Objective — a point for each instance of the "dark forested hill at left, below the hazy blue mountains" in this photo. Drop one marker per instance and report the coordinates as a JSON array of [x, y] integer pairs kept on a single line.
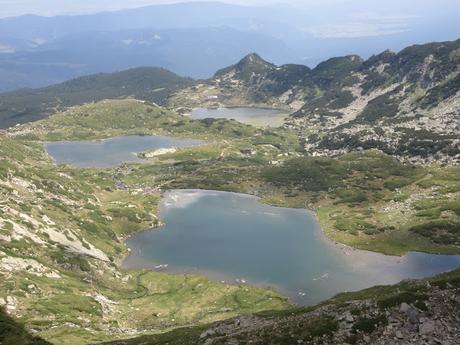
[[150, 84]]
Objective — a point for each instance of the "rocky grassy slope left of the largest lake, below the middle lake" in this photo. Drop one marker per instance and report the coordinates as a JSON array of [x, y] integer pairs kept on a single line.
[[84, 205]]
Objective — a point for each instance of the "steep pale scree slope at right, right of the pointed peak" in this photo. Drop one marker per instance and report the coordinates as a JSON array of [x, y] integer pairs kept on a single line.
[[406, 104]]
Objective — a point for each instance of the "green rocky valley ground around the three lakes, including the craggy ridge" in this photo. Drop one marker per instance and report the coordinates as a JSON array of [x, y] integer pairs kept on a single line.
[[63, 228]]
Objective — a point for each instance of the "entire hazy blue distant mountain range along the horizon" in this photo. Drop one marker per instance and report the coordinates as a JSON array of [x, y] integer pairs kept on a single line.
[[191, 39]]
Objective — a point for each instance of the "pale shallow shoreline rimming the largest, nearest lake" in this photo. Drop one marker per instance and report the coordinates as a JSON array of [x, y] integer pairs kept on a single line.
[[354, 258]]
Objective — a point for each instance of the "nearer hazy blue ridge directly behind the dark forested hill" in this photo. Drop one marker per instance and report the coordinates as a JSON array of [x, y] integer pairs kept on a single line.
[[193, 52]]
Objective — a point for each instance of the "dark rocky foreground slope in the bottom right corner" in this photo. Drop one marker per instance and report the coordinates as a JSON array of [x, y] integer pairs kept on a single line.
[[432, 321]]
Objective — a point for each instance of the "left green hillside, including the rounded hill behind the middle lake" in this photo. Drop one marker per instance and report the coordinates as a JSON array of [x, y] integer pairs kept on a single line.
[[62, 233]]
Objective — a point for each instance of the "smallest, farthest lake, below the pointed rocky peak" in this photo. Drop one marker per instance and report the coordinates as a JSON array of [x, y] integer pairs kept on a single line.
[[253, 116]]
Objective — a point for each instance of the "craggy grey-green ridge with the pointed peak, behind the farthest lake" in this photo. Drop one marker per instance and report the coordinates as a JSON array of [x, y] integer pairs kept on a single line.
[[406, 104]]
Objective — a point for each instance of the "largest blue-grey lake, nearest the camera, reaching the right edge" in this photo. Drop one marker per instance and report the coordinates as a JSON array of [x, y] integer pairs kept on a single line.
[[235, 239]]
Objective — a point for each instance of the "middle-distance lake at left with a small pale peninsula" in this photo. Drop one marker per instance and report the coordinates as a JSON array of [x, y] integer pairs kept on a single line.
[[111, 152]]
